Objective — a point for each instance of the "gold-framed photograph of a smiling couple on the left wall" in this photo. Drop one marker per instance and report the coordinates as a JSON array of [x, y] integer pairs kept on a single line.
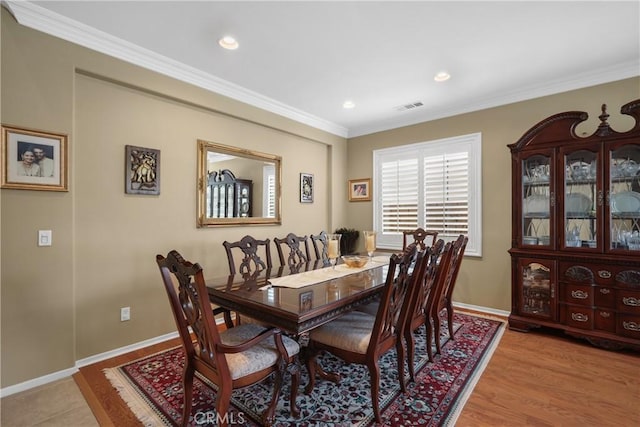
[[34, 160]]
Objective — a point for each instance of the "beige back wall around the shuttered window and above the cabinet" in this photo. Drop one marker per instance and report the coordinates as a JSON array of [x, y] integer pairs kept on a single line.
[[486, 281]]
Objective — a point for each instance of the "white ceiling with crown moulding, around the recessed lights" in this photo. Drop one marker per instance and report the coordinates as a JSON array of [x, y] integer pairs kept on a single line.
[[304, 59]]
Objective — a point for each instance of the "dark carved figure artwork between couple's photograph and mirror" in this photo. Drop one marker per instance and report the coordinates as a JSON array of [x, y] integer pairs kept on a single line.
[[142, 170]]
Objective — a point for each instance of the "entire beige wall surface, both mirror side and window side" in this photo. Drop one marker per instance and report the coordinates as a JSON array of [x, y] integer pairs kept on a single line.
[[61, 304]]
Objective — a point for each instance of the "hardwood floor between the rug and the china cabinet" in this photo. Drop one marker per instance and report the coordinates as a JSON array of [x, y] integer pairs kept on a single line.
[[540, 379]]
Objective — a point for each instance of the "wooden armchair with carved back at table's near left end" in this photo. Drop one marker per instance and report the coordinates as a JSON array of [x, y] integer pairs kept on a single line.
[[237, 357]]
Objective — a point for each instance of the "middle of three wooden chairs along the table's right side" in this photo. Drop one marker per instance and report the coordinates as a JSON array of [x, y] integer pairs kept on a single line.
[[417, 313]]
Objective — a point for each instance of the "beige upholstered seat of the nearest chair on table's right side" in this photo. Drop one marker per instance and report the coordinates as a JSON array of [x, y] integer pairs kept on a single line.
[[351, 332]]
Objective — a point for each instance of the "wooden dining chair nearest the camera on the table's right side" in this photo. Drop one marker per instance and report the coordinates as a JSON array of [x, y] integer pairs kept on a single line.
[[358, 337]]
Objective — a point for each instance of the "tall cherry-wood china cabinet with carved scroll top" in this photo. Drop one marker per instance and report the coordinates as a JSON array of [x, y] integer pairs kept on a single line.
[[575, 250]]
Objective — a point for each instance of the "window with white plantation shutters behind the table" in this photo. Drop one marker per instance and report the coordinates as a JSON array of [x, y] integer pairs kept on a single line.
[[435, 185]]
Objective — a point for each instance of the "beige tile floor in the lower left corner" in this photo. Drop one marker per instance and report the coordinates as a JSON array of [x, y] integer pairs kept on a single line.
[[57, 404]]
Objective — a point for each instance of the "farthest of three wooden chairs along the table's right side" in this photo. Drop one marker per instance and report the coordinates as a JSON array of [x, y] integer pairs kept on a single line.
[[444, 299]]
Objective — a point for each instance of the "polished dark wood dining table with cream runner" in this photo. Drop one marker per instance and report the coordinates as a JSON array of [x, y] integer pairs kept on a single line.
[[296, 310]]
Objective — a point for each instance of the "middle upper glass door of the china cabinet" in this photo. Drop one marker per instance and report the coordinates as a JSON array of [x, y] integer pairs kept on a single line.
[[583, 199]]
